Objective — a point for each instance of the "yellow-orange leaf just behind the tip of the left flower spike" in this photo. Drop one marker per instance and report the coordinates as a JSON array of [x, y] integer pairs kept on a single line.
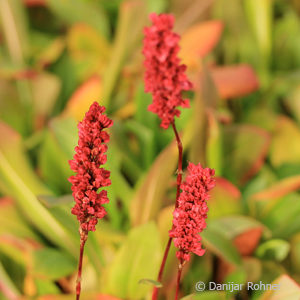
[[83, 97]]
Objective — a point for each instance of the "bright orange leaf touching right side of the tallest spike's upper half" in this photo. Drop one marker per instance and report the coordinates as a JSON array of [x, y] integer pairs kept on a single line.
[[199, 40]]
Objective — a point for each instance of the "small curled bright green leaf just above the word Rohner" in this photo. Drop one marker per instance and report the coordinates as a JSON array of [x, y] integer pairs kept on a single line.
[[274, 249]]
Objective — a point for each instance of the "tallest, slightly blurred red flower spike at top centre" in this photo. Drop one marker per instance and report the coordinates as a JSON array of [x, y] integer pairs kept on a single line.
[[164, 77]]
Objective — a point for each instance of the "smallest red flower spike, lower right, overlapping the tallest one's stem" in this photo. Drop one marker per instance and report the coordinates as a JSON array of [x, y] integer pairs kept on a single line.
[[191, 212]]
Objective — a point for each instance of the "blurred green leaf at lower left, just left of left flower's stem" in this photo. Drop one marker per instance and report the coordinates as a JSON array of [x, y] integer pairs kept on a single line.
[[52, 264]]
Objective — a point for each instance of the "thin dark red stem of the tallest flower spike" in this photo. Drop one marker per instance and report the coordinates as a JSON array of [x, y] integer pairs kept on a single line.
[[179, 179]]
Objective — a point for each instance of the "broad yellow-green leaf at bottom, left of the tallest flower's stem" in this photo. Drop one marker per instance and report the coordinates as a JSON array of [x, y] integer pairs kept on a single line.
[[125, 271]]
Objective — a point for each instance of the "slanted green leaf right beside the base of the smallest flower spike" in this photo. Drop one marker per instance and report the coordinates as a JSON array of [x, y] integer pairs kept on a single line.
[[220, 245]]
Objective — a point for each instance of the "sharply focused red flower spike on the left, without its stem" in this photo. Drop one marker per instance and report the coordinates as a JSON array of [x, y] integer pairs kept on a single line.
[[89, 156]]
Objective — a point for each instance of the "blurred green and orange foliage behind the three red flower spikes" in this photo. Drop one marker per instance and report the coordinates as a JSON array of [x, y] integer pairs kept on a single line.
[[58, 56]]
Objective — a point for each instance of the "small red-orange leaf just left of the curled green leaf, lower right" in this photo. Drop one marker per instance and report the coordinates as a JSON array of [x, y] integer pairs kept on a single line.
[[247, 241]]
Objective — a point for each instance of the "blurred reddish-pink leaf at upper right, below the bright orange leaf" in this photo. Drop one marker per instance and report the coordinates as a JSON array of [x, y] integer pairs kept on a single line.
[[234, 81]]
